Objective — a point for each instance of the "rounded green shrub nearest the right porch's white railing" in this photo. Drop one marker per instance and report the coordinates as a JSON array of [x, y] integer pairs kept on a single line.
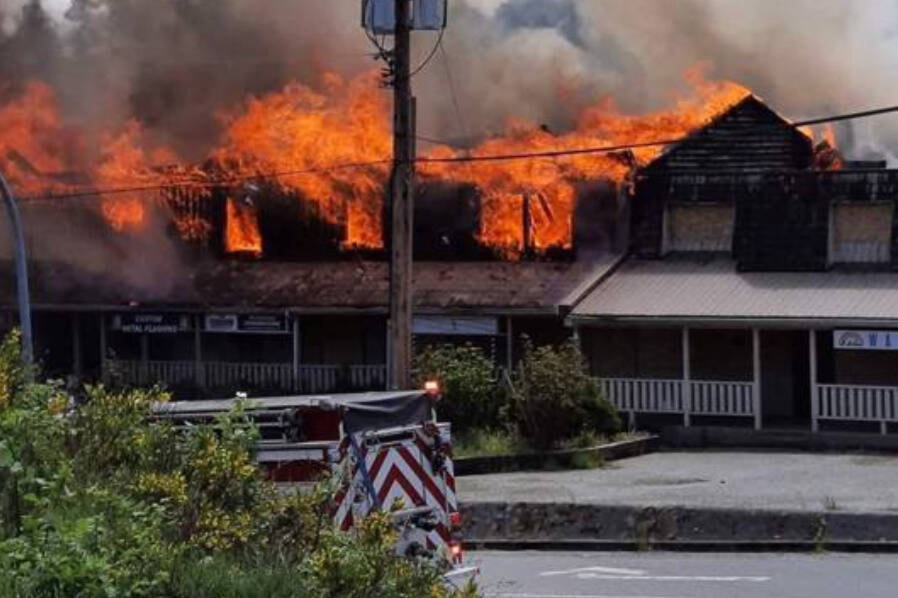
[[553, 397]]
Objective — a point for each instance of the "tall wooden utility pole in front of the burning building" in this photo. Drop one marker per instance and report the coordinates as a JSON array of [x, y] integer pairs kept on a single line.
[[401, 205]]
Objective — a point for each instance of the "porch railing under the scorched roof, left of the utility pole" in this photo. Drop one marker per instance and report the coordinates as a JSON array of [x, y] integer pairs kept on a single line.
[[240, 376]]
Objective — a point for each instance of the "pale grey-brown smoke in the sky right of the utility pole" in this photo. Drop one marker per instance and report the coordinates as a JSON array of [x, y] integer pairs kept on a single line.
[[805, 57]]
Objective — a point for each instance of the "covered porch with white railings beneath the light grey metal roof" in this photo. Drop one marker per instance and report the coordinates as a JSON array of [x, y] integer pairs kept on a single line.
[[820, 393]]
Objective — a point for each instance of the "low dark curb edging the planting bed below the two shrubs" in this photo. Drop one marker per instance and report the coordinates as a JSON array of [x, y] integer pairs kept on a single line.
[[563, 459]]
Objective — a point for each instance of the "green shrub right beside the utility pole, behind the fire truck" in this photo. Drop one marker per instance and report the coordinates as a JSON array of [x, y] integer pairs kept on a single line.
[[470, 397]]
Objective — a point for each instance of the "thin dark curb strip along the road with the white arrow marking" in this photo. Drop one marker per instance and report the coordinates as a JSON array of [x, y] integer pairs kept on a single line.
[[749, 546]]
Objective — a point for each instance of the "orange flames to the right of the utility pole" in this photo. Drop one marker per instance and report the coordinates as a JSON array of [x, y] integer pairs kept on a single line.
[[552, 181]]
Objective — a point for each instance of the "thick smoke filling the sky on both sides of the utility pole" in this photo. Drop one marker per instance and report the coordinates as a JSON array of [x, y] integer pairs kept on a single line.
[[177, 65]]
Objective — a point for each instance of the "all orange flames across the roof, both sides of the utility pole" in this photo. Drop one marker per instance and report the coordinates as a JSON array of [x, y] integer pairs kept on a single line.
[[302, 133]]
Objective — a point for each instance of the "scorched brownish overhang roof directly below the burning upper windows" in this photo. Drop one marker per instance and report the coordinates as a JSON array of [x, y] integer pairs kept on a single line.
[[538, 287]]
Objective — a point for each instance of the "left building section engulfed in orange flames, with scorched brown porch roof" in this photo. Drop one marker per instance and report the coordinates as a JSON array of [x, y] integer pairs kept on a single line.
[[261, 266]]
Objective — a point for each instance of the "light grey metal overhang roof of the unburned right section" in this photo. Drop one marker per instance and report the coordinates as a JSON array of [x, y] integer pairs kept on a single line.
[[692, 288]]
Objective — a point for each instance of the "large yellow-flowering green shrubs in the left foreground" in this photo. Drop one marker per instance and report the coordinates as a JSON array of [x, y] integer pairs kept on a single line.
[[104, 502]]
